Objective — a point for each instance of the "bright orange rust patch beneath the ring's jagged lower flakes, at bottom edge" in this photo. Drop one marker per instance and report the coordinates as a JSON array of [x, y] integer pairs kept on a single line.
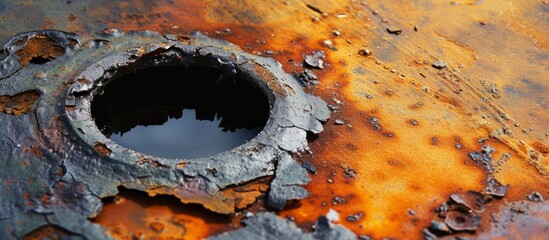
[[161, 217]]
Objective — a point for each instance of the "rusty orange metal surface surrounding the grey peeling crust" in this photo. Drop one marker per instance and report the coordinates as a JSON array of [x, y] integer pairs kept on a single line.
[[437, 107]]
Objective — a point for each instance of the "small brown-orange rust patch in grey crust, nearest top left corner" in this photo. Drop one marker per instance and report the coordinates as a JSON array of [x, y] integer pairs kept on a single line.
[[39, 47]]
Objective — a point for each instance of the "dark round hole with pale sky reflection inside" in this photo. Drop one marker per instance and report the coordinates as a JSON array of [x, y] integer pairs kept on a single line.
[[178, 112]]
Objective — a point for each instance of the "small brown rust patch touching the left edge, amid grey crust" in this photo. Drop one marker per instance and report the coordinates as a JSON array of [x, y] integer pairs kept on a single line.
[[18, 104]]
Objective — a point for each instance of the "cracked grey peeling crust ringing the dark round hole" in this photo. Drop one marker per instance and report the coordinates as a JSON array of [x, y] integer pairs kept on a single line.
[[72, 165]]
